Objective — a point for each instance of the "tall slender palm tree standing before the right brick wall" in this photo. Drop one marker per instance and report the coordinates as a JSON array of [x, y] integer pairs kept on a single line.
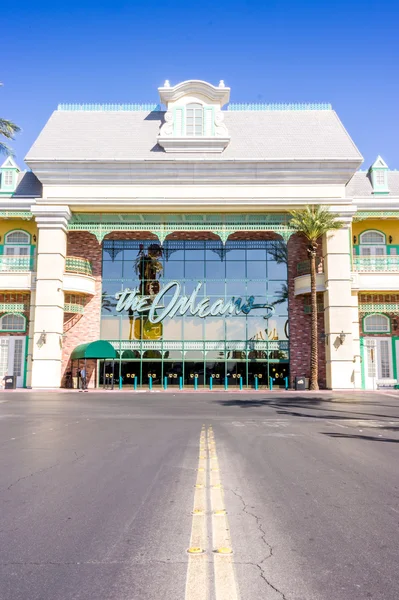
[[313, 222]]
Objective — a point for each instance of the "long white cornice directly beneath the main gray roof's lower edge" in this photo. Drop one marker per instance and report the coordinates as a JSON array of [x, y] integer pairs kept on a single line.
[[160, 171]]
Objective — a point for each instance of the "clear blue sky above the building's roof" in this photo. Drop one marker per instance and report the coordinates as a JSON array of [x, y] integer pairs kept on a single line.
[[346, 53]]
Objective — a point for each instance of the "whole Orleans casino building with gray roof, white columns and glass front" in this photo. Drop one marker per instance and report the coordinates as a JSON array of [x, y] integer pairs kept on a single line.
[[151, 243]]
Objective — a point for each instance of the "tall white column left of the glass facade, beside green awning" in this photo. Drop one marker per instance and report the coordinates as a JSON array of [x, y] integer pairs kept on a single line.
[[49, 307]]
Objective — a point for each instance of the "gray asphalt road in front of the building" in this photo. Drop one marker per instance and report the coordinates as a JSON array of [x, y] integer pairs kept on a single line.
[[97, 492]]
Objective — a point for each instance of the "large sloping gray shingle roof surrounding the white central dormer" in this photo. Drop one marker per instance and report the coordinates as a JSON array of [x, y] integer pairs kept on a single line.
[[255, 135]]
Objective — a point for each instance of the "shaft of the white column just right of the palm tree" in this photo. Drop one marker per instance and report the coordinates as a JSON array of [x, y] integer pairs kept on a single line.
[[338, 310]]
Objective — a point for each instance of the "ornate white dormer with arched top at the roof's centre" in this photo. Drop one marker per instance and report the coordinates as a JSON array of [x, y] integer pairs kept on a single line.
[[194, 117]]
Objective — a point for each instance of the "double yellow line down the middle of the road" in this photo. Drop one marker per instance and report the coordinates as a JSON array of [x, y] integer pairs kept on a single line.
[[198, 576]]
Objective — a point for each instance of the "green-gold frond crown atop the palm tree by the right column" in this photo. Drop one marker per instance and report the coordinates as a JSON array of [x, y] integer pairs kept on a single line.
[[314, 221]]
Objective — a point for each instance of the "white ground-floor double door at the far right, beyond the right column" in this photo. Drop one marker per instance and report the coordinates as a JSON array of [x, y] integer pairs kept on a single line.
[[378, 361]]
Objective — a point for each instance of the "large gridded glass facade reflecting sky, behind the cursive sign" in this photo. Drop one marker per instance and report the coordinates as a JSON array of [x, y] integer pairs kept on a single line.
[[247, 345]]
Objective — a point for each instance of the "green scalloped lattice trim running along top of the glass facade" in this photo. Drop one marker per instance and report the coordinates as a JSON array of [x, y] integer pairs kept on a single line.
[[163, 225]]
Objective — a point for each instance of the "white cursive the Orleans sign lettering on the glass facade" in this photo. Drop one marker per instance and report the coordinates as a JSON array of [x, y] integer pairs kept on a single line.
[[133, 302]]
